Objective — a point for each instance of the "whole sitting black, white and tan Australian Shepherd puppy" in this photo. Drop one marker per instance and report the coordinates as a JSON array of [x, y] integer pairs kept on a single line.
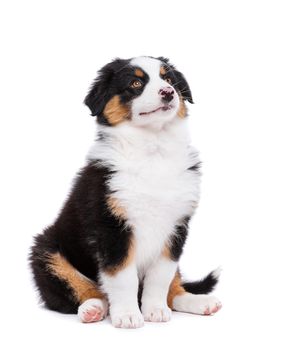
[[116, 244]]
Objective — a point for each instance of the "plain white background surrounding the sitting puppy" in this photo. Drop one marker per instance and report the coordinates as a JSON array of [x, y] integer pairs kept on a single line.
[[235, 57]]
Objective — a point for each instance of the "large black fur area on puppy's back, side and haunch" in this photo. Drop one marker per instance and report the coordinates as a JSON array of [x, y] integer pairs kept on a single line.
[[86, 233]]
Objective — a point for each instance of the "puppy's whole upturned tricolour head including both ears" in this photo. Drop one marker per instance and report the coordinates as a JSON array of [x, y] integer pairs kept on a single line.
[[145, 91]]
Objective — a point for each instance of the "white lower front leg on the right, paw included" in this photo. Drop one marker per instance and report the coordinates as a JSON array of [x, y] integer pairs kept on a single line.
[[155, 291]]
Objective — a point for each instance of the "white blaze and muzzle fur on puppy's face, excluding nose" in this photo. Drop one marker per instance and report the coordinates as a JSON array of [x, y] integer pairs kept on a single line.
[[150, 99]]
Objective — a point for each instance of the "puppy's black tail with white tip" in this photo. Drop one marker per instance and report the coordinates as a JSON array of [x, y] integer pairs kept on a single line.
[[205, 285]]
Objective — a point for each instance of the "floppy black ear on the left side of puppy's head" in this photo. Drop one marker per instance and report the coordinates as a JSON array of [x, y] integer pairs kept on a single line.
[[102, 89]]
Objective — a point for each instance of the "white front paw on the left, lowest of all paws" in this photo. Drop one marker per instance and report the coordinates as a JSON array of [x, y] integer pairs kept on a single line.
[[132, 319]]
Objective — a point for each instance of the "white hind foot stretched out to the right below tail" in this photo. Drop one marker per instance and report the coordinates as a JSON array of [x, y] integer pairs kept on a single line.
[[201, 304]]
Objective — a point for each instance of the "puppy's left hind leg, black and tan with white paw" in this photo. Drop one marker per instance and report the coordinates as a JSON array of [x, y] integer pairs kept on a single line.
[[63, 288]]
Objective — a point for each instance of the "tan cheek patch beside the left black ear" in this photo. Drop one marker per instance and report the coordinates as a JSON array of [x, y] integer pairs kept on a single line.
[[115, 111]]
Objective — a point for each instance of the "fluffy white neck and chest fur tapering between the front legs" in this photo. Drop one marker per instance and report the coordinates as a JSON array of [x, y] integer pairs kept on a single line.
[[152, 181]]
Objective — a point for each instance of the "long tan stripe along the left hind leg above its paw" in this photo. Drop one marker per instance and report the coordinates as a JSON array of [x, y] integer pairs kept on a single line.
[[82, 287]]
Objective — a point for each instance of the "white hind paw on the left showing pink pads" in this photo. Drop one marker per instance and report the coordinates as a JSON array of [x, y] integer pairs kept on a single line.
[[92, 310]]
